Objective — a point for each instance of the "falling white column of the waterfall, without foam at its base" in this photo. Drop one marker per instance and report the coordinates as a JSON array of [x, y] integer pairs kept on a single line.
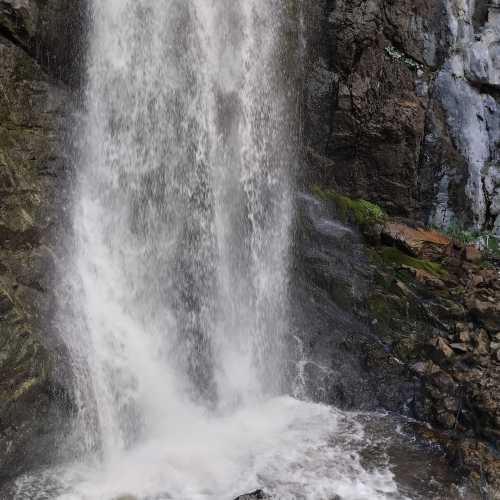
[[183, 210]]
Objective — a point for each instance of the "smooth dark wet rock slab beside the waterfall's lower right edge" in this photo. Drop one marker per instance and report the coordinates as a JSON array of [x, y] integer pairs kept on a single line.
[[345, 361]]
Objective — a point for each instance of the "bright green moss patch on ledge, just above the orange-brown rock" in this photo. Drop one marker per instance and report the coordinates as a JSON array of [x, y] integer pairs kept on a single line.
[[363, 212]]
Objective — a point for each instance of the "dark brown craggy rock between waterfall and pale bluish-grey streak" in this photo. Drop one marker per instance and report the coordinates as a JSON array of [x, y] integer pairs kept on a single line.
[[367, 96]]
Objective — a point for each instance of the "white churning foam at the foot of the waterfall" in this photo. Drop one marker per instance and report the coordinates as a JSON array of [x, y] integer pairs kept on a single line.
[[292, 449]]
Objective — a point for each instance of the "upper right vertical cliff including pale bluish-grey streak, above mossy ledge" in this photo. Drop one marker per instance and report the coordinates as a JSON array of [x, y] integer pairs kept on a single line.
[[402, 106]]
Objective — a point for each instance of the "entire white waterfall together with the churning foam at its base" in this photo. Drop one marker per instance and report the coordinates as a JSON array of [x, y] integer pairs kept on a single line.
[[182, 220]]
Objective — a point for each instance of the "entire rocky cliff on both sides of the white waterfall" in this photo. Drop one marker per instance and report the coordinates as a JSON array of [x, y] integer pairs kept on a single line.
[[391, 309]]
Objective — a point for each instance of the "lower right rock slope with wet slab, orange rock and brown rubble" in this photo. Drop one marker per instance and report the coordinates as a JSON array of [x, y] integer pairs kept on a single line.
[[406, 322]]
